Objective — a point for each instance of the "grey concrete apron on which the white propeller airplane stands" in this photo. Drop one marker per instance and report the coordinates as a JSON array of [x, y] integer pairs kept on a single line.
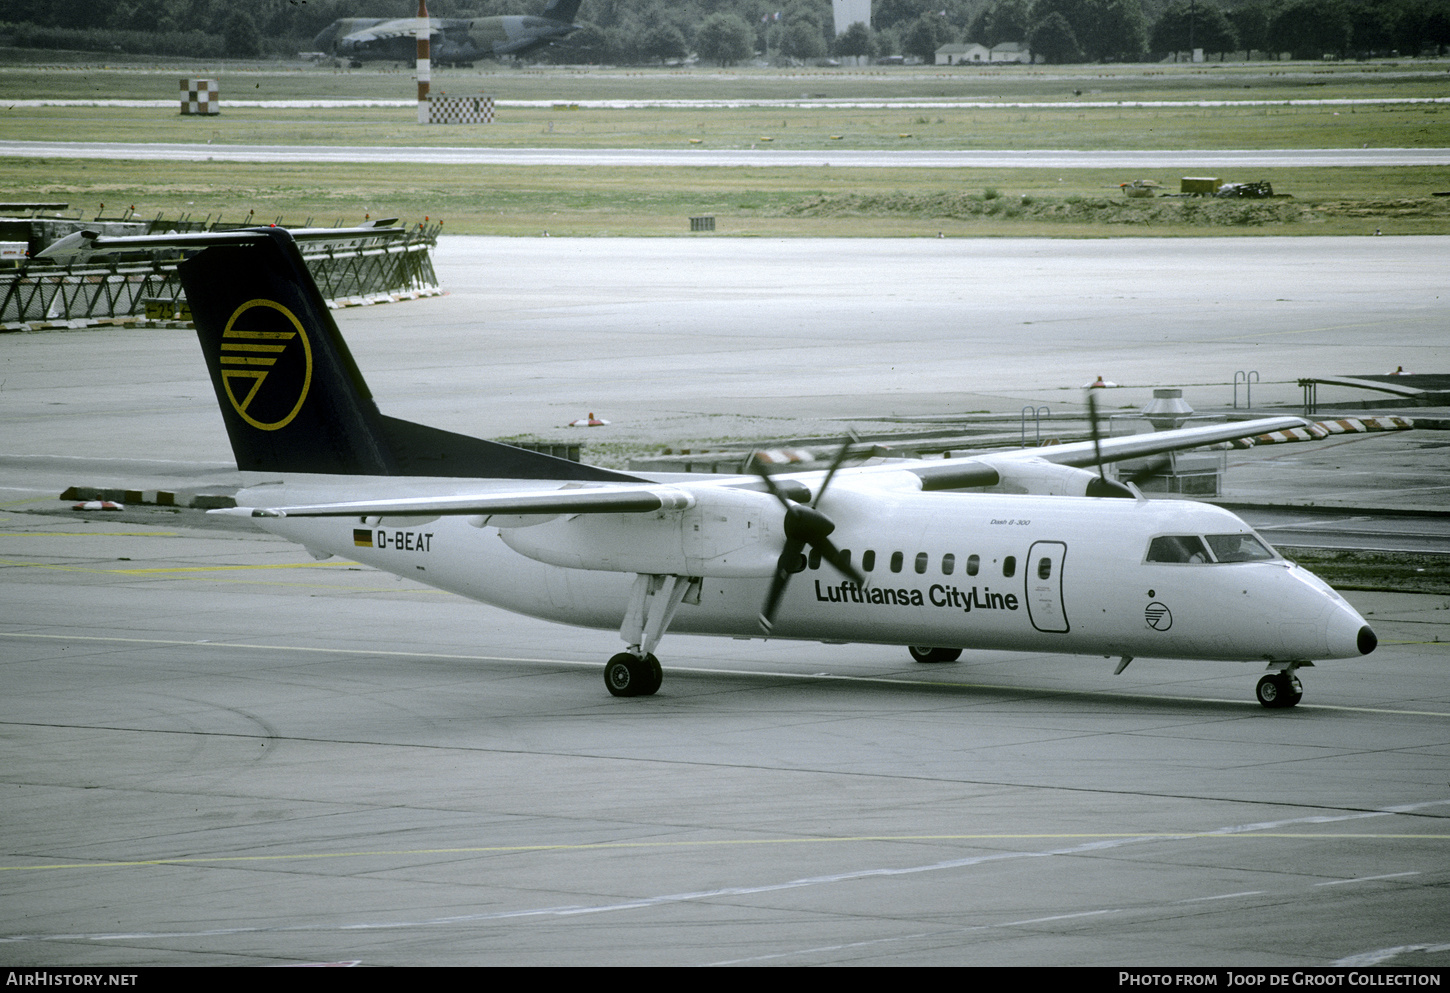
[[215, 750]]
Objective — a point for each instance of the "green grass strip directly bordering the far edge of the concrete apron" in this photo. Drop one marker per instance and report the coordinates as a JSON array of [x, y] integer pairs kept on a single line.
[[753, 202]]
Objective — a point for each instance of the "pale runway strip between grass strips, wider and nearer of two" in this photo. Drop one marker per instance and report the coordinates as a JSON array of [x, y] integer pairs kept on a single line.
[[705, 157]]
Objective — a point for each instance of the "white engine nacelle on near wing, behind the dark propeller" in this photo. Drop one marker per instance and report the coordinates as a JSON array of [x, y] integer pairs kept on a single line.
[[727, 534]]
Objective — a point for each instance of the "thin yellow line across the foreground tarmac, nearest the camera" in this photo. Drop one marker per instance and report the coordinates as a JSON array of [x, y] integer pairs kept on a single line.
[[720, 843]]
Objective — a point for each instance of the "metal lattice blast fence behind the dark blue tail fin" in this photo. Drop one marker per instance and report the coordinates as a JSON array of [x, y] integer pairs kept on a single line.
[[352, 272]]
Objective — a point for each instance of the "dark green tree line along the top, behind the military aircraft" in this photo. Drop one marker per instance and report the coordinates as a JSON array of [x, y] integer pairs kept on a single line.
[[736, 31]]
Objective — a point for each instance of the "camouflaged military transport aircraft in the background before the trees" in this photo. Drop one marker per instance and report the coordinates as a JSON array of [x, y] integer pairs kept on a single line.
[[452, 40]]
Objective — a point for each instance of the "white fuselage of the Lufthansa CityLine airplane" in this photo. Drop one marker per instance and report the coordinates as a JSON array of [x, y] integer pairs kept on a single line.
[[958, 570]]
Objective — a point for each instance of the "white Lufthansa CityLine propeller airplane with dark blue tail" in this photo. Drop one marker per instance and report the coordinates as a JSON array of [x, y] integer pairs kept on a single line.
[[1017, 550]]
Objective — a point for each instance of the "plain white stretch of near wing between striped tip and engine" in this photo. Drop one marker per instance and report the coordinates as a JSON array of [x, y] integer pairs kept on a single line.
[[607, 499]]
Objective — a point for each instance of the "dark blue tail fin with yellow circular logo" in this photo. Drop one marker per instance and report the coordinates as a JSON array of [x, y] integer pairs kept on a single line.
[[291, 394]]
